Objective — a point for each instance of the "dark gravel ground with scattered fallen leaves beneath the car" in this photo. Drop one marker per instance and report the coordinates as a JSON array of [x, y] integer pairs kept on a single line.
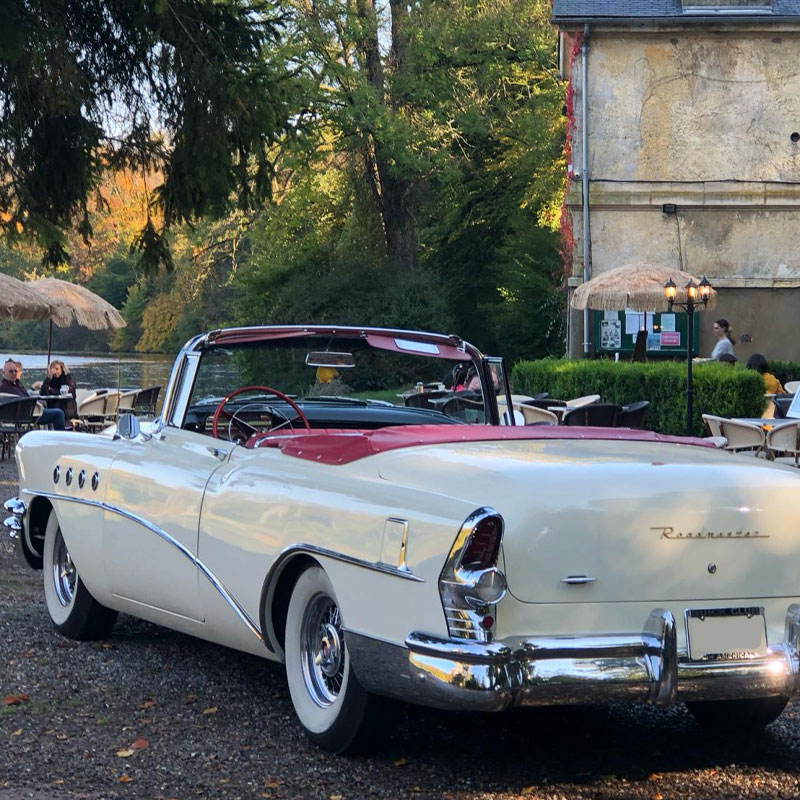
[[155, 714]]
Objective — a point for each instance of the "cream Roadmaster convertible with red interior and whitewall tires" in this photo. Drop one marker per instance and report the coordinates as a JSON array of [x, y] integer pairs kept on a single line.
[[296, 500]]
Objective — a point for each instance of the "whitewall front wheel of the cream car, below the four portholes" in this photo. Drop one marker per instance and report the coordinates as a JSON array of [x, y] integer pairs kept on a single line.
[[74, 611]]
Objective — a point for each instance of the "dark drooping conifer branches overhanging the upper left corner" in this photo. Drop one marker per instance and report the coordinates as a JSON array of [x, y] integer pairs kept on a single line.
[[194, 89]]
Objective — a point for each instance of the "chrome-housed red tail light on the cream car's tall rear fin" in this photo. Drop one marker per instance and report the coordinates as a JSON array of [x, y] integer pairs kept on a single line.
[[471, 584]]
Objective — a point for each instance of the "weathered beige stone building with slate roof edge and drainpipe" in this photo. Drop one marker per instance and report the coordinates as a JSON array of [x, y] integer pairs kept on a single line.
[[686, 140]]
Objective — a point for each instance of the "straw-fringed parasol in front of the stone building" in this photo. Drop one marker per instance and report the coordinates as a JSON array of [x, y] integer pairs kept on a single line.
[[639, 287]]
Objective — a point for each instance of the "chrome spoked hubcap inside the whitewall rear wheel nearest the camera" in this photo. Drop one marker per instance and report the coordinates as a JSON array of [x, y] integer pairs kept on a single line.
[[323, 651]]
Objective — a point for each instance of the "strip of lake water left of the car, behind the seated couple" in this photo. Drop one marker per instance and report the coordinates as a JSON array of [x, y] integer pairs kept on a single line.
[[118, 370]]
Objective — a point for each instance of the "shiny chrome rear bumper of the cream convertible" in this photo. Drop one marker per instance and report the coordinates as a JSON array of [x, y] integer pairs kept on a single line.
[[645, 667]]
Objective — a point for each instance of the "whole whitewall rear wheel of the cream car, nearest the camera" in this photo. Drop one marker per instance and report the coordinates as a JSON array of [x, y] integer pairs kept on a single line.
[[336, 712]]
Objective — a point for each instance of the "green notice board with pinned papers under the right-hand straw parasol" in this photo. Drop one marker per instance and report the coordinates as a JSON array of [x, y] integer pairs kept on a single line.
[[616, 331]]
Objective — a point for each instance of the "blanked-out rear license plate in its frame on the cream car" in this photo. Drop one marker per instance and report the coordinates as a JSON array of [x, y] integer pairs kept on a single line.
[[726, 634]]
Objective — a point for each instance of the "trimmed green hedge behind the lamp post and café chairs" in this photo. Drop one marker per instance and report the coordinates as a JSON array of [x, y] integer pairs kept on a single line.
[[727, 391]]
